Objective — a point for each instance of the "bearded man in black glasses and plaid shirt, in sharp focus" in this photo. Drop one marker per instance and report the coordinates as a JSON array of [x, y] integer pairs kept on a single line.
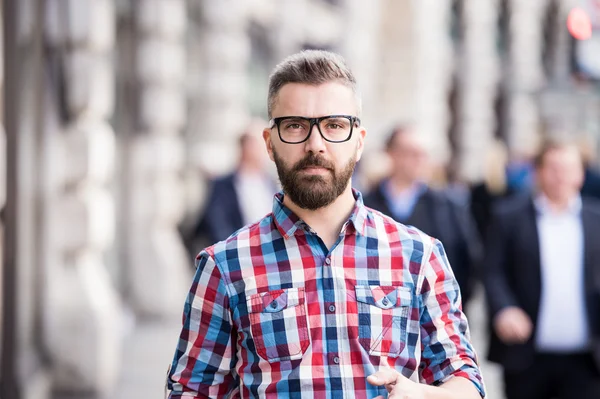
[[323, 297]]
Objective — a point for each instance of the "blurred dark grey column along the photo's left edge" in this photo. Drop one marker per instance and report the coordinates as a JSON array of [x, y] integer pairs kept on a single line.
[[24, 374]]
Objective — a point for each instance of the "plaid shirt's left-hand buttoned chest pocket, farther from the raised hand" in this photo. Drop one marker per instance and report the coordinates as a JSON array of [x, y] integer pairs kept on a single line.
[[278, 324]]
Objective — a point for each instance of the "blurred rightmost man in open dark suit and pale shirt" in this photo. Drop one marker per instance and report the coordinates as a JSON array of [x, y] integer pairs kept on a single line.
[[542, 278]]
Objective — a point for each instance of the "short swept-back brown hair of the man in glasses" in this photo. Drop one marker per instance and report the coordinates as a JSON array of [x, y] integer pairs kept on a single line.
[[313, 67]]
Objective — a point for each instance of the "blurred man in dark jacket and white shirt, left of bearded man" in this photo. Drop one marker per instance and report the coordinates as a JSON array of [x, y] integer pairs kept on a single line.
[[241, 197]]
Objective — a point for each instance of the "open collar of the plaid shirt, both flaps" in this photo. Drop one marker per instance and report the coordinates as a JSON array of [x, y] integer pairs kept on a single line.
[[287, 222]]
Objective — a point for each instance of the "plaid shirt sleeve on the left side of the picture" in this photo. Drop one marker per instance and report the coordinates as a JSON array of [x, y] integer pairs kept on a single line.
[[203, 365]]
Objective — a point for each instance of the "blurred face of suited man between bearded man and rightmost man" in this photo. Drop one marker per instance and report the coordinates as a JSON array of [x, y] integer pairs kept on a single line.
[[410, 159]]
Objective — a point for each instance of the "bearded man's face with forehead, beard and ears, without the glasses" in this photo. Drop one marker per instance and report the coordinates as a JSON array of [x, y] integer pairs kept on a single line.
[[316, 172]]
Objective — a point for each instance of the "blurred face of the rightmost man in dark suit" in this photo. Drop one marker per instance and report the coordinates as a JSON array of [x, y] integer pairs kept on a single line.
[[560, 175]]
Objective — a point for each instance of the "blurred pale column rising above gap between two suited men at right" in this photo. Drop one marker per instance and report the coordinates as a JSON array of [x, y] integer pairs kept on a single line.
[[479, 75]]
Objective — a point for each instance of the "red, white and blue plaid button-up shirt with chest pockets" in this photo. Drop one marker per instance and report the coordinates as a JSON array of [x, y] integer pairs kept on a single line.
[[273, 313]]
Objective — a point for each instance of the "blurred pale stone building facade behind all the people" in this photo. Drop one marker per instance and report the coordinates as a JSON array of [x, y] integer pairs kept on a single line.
[[118, 111]]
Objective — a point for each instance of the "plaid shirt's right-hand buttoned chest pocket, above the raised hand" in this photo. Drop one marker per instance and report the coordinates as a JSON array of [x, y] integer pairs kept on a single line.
[[383, 313]]
